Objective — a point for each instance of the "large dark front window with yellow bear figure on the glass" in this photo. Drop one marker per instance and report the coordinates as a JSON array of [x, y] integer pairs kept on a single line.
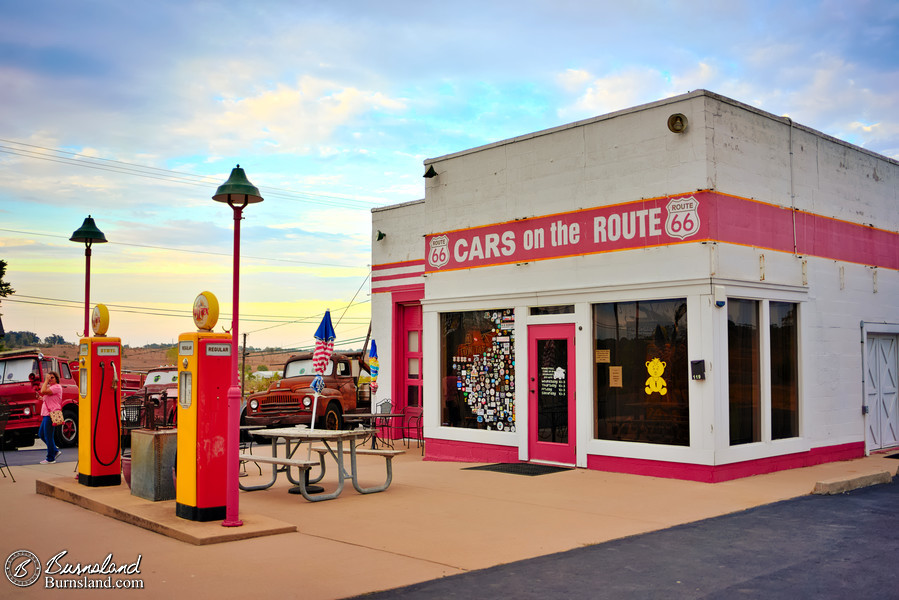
[[642, 372]]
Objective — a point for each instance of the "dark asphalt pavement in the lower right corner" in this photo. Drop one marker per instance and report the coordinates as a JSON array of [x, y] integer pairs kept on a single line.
[[823, 547]]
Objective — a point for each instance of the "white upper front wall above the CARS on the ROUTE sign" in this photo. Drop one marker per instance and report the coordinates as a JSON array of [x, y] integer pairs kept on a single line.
[[618, 158]]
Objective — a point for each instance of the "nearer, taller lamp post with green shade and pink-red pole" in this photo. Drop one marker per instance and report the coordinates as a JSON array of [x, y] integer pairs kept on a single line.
[[237, 193]]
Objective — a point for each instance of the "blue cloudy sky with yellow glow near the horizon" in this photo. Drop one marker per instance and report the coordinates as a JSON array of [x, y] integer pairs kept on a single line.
[[134, 112]]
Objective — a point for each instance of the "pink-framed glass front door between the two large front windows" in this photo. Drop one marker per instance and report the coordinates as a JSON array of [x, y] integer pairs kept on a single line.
[[551, 410]]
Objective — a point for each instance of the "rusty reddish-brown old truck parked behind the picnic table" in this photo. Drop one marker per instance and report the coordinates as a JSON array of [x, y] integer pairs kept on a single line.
[[289, 401]]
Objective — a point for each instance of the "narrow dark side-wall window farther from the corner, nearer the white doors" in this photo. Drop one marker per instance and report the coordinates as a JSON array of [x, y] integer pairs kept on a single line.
[[784, 371]]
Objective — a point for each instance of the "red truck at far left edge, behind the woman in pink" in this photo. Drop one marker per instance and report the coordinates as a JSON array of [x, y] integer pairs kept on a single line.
[[21, 374]]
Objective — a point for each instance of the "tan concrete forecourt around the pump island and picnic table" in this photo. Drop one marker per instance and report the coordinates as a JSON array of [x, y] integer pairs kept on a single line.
[[437, 519]]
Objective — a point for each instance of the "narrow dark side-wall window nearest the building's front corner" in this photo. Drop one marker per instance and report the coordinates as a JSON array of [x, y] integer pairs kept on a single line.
[[743, 372]]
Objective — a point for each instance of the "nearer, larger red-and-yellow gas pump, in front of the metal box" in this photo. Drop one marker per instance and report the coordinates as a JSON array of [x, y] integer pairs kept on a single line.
[[204, 376]]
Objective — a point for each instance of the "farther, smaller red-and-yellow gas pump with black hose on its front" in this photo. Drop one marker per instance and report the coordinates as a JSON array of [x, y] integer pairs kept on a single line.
[[99, 406]]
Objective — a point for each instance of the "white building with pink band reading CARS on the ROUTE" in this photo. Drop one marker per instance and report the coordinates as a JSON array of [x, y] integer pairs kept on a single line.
[[692, 288]]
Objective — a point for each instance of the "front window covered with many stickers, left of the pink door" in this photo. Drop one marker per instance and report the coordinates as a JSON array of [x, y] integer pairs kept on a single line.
[[478, 366]]
